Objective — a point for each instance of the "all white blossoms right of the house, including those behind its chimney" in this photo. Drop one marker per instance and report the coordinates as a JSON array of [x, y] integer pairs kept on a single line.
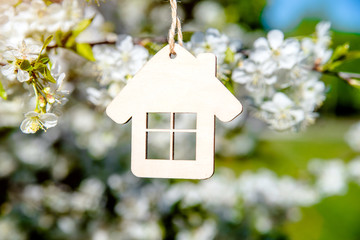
[[281, 76]]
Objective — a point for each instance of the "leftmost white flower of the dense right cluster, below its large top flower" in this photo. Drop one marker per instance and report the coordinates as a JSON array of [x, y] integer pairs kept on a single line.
[[255, 75]]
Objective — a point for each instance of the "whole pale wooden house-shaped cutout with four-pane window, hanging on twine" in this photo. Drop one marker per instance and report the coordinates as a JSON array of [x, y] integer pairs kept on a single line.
[[172, 87]]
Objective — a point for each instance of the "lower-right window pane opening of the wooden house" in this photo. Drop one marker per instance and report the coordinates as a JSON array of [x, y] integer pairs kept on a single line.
[[184, 146]]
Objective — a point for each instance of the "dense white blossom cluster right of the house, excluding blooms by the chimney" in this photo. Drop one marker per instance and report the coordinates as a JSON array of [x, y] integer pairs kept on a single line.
[[282, 77]]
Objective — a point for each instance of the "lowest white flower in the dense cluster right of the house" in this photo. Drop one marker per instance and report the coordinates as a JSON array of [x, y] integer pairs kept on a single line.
[[281, 112]]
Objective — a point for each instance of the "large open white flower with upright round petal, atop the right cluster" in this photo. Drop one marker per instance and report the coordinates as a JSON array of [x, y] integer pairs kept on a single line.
[[283, 52]]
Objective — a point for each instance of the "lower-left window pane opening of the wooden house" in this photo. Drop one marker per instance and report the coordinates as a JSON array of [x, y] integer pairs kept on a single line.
[[157, 145]]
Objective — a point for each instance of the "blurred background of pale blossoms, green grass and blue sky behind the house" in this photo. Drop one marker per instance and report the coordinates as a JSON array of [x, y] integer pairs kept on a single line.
[[74, 181]]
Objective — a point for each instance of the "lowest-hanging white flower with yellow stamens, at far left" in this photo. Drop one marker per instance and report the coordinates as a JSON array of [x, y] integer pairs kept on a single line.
[[34, 121]]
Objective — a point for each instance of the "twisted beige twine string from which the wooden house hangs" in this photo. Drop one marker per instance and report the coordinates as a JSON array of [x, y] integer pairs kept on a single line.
[[174, 24]]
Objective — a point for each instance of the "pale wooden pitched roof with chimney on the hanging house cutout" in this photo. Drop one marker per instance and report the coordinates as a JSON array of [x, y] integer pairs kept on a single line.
[[183, 84]]
